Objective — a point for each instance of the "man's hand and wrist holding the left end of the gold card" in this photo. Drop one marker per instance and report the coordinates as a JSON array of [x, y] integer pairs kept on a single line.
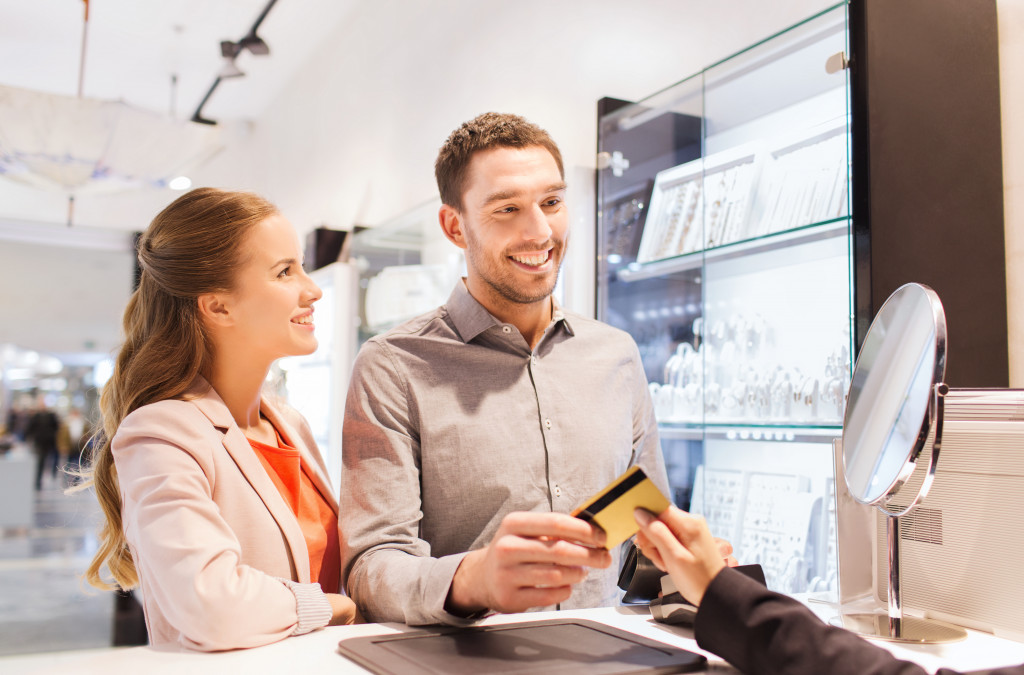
[[533, 562]]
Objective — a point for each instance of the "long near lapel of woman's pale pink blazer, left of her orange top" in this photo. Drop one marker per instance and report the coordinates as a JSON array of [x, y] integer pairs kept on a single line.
[[245, 457]]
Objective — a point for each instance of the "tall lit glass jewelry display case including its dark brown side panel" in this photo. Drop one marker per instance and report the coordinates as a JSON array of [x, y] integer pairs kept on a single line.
[[752, 219]]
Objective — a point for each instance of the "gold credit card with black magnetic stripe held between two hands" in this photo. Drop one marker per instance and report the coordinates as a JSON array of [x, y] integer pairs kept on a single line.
[[612, 510]]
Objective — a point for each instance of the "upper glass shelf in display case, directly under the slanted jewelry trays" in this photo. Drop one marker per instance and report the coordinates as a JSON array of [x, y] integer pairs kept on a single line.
[[817, 232]]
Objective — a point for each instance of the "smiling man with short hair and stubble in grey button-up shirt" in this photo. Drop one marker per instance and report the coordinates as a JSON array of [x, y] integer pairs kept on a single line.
[[473, 432]]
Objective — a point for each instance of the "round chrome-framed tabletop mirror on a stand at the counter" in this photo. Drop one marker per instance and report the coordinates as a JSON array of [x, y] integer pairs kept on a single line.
[[895, 400]]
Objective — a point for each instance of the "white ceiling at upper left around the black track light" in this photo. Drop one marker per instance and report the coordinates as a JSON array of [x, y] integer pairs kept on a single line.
[[135, 47]]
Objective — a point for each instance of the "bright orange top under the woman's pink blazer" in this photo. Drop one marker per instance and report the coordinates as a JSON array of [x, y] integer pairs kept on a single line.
[[317, 519]]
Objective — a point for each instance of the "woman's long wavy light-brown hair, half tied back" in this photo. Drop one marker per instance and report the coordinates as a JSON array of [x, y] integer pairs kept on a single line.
[[195, 246]]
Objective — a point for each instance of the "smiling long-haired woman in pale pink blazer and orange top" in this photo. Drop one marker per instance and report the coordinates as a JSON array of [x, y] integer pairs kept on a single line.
[[217, 499]]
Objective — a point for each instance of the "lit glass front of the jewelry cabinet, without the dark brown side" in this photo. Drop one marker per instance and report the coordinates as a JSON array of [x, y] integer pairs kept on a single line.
[[724, 249]]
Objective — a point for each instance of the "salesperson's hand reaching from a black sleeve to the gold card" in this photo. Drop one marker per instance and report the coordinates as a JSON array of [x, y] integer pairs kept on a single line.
[[681, 545]]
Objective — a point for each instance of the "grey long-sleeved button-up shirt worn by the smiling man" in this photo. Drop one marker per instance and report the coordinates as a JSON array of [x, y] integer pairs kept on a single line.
[[452, 424]]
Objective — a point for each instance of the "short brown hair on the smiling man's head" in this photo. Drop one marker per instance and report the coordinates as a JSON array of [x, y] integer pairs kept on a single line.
[[485, 133]]
